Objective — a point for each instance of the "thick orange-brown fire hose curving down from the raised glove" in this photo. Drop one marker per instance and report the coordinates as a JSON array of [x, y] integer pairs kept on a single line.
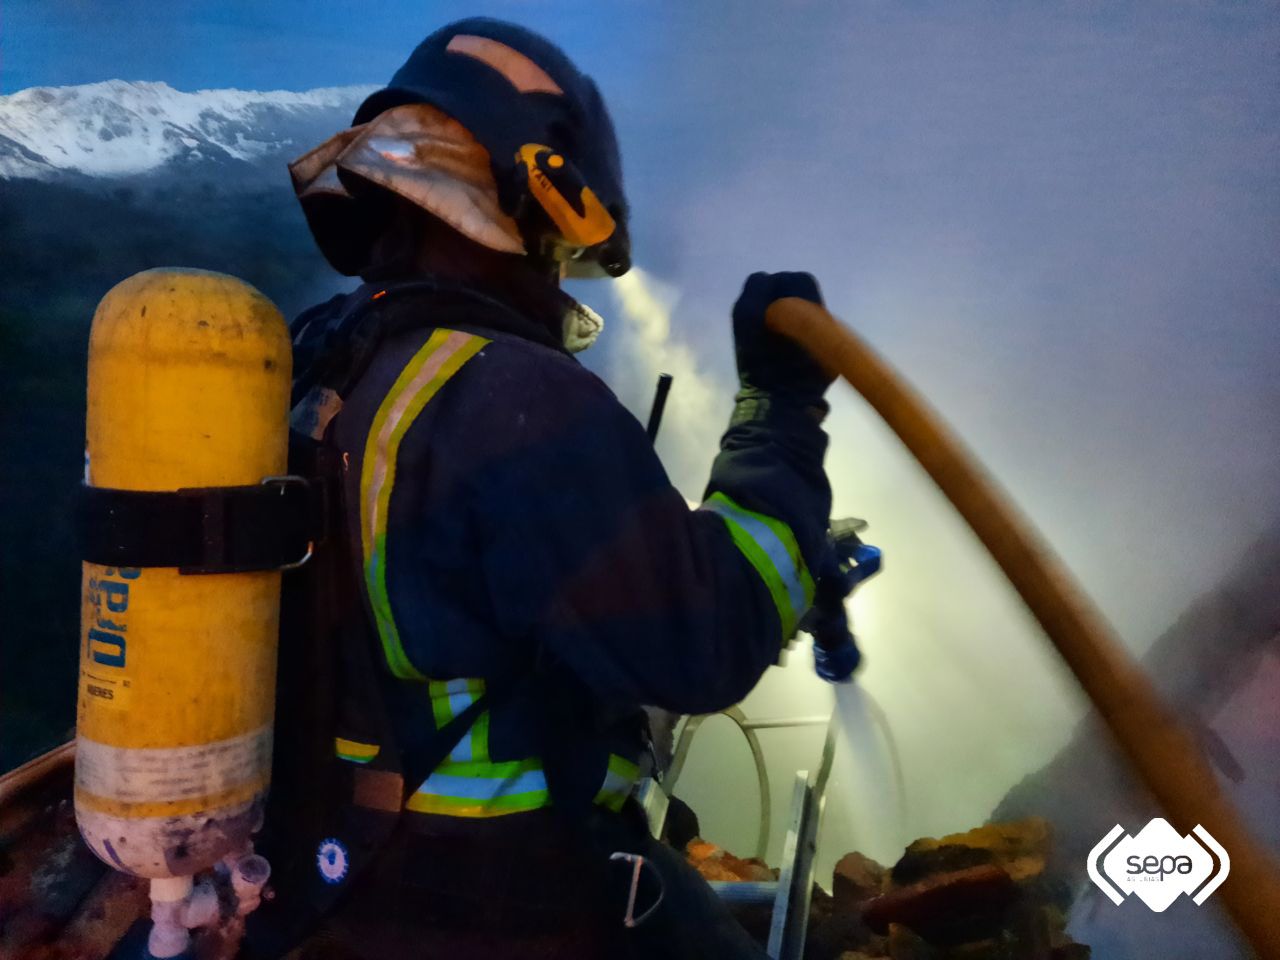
[[1160, 748]]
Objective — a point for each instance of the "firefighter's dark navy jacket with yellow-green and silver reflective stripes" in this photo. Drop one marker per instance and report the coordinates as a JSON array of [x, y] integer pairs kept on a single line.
[[514, 531]]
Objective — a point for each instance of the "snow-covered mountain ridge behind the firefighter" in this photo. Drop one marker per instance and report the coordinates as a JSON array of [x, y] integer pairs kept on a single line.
[[121, 129]]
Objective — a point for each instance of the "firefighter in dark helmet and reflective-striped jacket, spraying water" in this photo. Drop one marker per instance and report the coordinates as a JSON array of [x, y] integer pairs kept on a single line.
[[527, 577]]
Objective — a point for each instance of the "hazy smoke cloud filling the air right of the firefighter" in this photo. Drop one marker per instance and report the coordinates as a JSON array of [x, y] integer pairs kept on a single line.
[[1059, 227]]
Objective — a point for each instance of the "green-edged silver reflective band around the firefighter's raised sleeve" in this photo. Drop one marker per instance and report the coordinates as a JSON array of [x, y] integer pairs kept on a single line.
[[770, 546]]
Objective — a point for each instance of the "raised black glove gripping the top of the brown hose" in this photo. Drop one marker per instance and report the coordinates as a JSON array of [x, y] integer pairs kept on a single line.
[[770, 363]]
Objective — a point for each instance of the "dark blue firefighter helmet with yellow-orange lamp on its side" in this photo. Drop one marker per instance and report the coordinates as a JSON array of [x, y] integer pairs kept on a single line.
[[548, 134]]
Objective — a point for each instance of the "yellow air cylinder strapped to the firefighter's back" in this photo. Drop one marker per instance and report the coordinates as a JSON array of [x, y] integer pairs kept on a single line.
[[189, 386]]
